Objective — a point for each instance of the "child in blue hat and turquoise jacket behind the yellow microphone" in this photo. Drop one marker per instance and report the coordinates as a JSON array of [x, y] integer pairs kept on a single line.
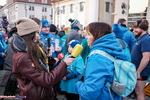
[[77, 68]]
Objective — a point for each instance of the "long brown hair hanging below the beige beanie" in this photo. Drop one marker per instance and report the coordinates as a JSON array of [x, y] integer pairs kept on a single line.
[[33, 50]]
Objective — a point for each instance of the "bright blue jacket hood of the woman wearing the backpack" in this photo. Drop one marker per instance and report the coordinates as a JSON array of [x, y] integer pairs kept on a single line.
[[111, 45]]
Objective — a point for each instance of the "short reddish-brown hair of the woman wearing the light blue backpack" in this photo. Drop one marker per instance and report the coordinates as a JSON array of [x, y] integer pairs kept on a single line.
[[99, 29]]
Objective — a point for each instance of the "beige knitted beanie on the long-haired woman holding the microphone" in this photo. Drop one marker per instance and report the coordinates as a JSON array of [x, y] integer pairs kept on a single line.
[[26, 26]]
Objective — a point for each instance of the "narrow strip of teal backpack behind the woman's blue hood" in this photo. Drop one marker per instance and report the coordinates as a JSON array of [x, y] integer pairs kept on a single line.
[[125, 48]]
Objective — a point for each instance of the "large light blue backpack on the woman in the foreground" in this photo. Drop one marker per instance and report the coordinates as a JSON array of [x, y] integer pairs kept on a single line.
[[124, 79]]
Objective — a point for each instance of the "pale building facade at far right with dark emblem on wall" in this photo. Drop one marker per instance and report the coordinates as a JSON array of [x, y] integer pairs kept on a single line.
[[122, 8]]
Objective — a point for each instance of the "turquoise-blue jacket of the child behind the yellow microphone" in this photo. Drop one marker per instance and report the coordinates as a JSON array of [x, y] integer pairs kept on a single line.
[[75, 70]]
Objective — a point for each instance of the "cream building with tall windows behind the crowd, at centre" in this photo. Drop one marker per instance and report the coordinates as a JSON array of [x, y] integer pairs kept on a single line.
[[86, 11]]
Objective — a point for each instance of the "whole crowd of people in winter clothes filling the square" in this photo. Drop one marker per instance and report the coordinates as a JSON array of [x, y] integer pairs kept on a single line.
[[30, 63]]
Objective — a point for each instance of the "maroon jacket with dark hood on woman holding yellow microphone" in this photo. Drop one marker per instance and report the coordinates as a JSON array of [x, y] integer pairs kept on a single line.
[[34, 85]]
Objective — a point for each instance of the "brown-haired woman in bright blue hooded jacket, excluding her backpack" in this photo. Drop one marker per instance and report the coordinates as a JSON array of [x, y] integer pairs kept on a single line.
[[99, 69]]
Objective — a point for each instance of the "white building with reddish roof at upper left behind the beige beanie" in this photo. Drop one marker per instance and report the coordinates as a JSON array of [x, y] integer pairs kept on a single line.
[[15, 9]]
